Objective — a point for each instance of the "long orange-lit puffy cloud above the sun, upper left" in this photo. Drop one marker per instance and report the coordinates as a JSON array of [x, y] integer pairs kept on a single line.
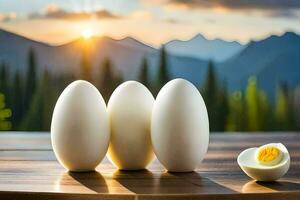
[[52, 11]]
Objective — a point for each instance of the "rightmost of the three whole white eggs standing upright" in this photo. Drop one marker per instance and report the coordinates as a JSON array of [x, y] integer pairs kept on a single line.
[[180, 127]]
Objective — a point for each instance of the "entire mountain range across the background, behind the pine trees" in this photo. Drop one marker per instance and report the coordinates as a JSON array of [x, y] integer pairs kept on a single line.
[[273, 60]]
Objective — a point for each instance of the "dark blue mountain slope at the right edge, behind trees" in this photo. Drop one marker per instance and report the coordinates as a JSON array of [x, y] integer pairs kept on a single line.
[[273, 60]]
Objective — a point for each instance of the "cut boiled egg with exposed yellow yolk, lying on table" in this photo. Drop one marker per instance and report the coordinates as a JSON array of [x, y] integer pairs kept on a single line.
[[263, 164]]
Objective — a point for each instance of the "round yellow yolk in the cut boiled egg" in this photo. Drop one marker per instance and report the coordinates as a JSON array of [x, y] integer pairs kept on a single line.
[[269, 155]]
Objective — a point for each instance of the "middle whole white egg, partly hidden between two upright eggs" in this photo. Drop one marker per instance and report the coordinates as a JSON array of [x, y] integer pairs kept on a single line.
[[129, 109]]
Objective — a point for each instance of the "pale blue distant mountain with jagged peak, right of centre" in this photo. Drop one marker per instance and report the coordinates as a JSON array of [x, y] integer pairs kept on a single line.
[[202, 48]]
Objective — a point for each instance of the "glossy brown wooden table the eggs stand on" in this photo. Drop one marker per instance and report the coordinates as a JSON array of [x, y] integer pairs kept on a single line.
[[29, 170]]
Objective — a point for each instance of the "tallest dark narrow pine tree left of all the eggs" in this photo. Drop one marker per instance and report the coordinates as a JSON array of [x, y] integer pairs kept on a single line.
[[31, 80]]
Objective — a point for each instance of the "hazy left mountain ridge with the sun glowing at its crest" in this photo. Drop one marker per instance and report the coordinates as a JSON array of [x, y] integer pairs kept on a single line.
[[126, 56]]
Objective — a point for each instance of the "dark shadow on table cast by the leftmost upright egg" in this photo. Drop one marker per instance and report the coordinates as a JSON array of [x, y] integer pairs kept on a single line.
[[92, 180]]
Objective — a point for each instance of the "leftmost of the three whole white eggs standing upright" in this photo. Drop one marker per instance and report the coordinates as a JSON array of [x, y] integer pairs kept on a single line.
[[79, 129]]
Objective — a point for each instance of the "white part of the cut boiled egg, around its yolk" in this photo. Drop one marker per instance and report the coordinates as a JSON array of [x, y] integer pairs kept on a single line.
[[258, 172]]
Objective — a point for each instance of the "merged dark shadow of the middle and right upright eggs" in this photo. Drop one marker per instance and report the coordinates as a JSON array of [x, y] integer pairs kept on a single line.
[[147, 182]]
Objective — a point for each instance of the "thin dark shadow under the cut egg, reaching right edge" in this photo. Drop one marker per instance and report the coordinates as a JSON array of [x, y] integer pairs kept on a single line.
[[280, 185]]
